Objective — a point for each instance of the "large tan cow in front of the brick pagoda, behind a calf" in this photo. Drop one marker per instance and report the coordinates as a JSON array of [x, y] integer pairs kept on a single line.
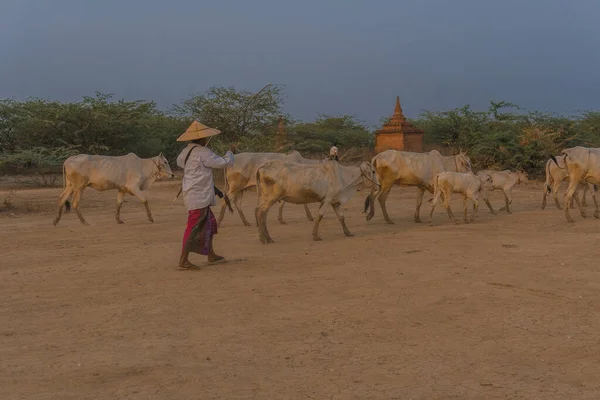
[[410, 169]]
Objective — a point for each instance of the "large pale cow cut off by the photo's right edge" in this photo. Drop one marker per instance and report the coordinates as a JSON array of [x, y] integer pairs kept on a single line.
[[583, 166]]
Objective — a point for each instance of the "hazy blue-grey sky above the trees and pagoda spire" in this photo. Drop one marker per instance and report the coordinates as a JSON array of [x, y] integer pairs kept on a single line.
[[334, 56]]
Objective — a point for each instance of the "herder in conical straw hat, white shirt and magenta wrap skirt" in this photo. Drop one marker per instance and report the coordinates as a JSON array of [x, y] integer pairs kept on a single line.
[[198, 160]]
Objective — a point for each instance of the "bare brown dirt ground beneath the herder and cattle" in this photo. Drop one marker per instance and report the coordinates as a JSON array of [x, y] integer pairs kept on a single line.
[[505, 308]]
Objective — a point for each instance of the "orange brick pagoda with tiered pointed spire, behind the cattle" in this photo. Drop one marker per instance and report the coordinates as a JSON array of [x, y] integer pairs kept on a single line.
[[399, 134]]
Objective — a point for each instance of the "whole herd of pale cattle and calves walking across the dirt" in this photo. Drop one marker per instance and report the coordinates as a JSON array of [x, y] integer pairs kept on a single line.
[[291, 178]]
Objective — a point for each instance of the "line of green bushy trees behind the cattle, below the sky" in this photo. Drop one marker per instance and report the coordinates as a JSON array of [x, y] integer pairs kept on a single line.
[[37, 135]]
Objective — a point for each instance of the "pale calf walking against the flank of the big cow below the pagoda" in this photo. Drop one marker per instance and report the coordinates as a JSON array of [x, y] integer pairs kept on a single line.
[[467, 184]]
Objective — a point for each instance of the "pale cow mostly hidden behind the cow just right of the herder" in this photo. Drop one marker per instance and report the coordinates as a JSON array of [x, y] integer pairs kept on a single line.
[[242, 175]]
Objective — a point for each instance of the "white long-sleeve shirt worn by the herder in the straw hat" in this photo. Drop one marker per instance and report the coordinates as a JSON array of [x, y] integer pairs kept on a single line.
[[198, 185]]
